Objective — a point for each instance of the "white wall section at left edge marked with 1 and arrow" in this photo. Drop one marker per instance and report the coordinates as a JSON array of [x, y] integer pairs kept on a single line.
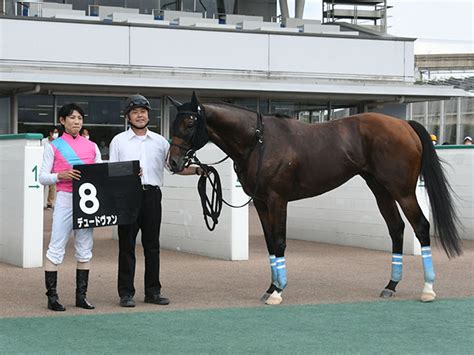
[[21, 202]]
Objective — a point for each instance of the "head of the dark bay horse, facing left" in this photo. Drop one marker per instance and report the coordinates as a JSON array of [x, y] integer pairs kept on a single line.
[[189, 133]]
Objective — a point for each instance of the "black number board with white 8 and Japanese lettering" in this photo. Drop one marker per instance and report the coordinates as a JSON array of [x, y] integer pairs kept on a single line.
[[107, 194]]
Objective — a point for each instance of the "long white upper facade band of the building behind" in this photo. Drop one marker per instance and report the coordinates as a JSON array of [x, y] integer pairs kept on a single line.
[[113, 55]]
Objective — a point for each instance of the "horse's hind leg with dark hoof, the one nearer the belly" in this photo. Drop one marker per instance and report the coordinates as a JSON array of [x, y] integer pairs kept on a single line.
[[389, 210]]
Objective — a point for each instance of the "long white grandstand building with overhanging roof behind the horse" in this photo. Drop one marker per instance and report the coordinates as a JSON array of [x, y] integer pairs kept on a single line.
[[53, 53]]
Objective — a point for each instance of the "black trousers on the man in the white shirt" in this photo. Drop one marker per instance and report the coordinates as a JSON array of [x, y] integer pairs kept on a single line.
[[149, 222]]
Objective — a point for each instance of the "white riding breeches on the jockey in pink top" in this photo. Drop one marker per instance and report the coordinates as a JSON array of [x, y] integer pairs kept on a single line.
[[61, 231]]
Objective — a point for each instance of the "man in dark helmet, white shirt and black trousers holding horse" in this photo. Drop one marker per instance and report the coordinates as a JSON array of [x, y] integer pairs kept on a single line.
[[151, 149]]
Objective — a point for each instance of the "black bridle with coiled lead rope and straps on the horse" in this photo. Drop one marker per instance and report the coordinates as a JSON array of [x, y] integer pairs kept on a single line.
[[212, 206]]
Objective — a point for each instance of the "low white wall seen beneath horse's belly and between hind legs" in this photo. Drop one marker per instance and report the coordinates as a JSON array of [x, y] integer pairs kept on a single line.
[[348, 216]]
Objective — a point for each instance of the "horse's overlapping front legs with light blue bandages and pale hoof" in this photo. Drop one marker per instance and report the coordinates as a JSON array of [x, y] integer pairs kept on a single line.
[[274, 224]]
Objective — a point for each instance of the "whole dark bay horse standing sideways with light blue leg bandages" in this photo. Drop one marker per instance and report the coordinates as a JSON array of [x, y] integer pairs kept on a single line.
[[291, 160]]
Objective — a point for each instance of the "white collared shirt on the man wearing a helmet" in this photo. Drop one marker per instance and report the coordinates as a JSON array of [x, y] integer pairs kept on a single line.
[[150, 149]]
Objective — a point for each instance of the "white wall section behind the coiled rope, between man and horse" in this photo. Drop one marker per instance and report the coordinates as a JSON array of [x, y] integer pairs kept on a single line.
[[183, 227]]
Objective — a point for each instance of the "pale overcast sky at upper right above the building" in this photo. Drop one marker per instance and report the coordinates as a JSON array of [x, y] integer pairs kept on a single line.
[[440, 26]]
